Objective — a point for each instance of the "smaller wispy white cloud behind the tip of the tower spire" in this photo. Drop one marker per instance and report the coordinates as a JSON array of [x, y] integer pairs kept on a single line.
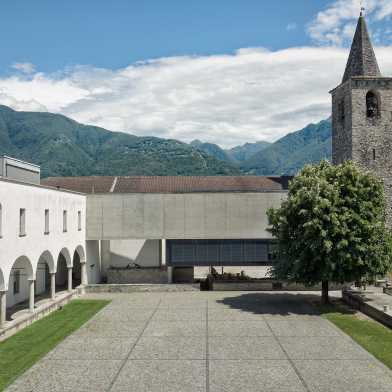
[[335, 25]]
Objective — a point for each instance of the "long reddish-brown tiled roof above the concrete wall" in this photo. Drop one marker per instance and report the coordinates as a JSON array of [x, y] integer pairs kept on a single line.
[[171, 184]]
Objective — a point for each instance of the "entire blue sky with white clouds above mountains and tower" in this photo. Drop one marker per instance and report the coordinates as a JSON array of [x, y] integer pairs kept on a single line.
[[222, 71]]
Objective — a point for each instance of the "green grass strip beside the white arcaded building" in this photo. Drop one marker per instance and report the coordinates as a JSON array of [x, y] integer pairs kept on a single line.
[[22, 350]]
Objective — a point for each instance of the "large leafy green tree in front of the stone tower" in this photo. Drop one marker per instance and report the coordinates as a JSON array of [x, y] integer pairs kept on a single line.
[[332, 227]]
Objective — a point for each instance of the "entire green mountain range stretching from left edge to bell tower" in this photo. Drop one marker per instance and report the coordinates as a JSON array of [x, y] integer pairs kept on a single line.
[[64, 147]]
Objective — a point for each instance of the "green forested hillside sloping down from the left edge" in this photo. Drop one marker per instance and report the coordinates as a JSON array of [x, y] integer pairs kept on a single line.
[[64, 147]]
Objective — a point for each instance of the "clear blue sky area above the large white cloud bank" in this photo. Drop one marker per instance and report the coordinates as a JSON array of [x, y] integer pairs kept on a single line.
[[112, 34]]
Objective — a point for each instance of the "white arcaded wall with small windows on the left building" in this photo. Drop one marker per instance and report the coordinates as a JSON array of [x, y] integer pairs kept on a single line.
[[35, 199]]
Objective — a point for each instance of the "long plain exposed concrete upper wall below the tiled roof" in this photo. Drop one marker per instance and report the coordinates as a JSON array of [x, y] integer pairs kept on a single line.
[[180, 216]]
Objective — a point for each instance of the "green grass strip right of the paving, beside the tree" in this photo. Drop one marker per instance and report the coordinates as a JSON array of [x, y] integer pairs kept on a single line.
[[370, 334]]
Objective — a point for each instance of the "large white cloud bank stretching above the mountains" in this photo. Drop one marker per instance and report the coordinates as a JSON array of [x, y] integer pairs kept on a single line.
[[253, 94]]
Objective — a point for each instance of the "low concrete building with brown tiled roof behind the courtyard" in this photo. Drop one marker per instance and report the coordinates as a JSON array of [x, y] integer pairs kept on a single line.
[[169, 225]]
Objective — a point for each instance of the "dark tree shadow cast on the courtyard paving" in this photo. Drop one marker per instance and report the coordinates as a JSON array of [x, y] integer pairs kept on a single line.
[[283, 304]]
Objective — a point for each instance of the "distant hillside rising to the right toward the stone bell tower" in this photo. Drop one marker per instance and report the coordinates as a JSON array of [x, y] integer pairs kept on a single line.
[[292, 152]]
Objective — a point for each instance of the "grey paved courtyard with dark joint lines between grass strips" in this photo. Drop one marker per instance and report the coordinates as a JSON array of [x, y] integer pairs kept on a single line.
[[206, 341]]
